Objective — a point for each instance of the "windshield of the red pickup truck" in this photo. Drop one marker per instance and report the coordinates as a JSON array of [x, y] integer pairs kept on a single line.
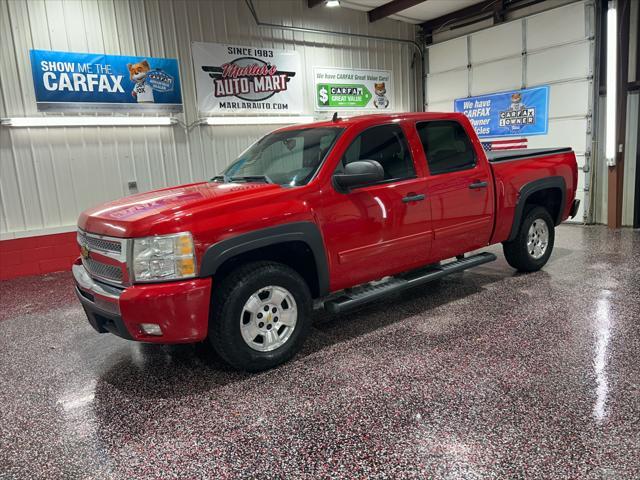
[[288, 158]]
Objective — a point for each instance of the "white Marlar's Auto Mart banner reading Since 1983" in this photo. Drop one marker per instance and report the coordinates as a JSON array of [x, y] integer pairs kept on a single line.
[[235, 79]]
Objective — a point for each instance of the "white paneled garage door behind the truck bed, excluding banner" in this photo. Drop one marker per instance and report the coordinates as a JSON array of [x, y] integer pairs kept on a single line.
[[554, 48]]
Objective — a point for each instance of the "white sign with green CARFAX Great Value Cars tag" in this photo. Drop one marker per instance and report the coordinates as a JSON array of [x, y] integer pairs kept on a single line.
[[353, 89]]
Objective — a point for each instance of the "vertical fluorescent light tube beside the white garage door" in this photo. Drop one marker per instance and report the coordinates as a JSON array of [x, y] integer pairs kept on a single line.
[[610, 129]]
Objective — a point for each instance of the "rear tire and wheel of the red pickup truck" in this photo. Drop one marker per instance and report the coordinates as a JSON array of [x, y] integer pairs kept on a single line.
[[531, 257]]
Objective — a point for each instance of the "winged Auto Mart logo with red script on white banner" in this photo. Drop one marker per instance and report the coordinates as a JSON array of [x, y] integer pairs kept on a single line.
[[248, 78]]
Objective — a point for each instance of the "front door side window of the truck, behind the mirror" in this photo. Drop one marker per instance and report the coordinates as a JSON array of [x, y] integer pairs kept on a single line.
[[385, 144]]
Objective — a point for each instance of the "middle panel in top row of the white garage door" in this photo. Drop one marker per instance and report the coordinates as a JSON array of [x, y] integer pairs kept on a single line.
[[497, 42]]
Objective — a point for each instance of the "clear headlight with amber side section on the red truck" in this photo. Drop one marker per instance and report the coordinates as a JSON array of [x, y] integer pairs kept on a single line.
[[164, 257]]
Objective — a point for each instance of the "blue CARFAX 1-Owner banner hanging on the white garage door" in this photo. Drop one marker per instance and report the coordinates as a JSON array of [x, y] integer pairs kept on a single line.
[[506, 114]]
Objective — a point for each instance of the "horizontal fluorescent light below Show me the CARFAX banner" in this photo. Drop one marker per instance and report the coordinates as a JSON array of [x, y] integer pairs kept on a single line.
[[86, 121]]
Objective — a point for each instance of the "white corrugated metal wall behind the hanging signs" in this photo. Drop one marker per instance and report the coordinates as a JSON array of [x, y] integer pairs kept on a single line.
[[47, 176]]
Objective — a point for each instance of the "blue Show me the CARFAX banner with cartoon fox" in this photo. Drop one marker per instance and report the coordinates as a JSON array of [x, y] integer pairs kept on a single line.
[[66, 80]]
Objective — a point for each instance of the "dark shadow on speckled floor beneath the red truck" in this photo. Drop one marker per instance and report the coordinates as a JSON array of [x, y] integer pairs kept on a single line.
[[174, 371]]
